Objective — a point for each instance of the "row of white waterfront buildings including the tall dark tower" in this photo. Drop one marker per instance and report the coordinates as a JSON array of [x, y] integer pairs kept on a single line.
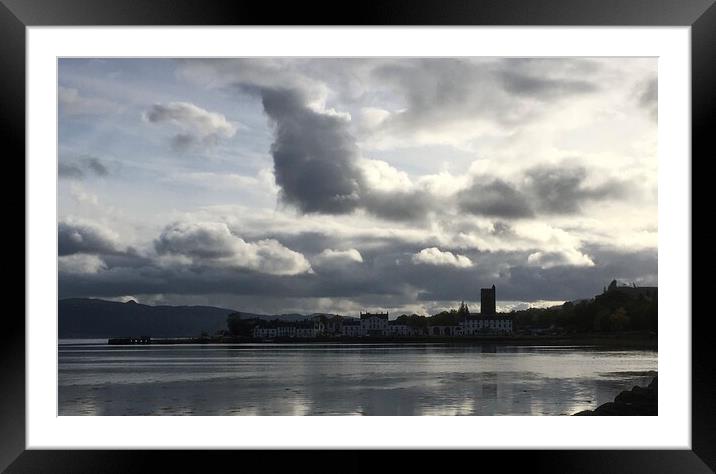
[[488, 322]]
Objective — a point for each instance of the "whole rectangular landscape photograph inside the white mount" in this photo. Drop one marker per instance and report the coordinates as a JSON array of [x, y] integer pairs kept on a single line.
[[334, 236]]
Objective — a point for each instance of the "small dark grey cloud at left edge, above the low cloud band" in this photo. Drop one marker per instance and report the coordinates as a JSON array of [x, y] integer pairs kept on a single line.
[[75, 238]]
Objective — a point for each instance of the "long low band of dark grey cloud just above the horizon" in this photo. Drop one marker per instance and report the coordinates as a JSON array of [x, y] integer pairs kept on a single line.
[[385, 274]]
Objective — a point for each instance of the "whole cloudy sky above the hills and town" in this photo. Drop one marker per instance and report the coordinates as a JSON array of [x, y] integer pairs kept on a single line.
[[339, 185]]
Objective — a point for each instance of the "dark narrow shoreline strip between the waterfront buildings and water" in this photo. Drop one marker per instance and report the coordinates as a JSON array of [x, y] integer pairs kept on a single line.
[[627, 341]]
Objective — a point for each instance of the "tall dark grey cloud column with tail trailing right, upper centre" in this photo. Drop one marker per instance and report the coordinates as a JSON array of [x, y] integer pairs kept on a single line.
[[315, 158]]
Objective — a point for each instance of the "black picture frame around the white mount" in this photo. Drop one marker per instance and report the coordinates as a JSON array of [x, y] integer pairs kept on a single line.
[[16, 15]]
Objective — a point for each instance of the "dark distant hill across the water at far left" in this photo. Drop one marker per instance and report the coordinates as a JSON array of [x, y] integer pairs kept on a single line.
[[95, 318]]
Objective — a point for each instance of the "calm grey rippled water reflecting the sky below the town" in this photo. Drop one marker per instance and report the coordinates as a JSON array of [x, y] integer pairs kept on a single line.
[[342, 379]]
